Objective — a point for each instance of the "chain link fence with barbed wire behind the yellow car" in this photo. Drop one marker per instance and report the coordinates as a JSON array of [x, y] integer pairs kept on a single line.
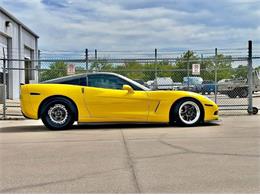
[[232, 81]]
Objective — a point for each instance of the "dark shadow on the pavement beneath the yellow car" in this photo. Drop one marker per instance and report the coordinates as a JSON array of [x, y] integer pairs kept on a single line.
[[97, 126]]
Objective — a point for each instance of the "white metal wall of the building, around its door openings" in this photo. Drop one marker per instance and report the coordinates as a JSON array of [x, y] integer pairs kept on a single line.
[[18, 39]]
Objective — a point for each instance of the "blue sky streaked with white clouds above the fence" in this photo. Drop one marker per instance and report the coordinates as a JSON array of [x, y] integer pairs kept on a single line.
[[139, 24]]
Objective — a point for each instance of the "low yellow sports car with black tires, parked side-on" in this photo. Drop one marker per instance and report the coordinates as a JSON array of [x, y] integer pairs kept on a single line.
[[110, 97]]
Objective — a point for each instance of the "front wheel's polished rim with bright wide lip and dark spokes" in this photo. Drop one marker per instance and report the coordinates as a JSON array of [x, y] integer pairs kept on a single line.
[[189, 112]]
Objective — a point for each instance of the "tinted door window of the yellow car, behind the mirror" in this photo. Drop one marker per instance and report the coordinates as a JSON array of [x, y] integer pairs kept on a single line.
[[108, 82]]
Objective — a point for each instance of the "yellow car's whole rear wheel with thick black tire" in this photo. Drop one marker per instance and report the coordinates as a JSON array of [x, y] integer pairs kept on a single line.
[[58, 114]]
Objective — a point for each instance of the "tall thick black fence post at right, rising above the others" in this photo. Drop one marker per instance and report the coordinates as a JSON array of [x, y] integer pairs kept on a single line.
[[250, 79]]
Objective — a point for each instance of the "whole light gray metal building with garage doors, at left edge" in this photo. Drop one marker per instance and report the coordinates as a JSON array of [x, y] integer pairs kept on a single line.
[[19, 42]]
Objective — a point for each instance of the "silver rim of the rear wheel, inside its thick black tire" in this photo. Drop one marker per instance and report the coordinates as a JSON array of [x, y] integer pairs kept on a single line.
[[58, 114]]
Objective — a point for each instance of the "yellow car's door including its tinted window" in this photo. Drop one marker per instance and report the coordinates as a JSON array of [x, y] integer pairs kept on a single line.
[[106, 99]]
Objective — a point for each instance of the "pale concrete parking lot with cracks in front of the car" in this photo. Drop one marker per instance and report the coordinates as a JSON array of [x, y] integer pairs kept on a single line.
[[219, 157]]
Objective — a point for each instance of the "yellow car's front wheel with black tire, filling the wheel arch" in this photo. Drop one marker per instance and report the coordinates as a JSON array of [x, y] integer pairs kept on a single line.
[[186, 118]]
